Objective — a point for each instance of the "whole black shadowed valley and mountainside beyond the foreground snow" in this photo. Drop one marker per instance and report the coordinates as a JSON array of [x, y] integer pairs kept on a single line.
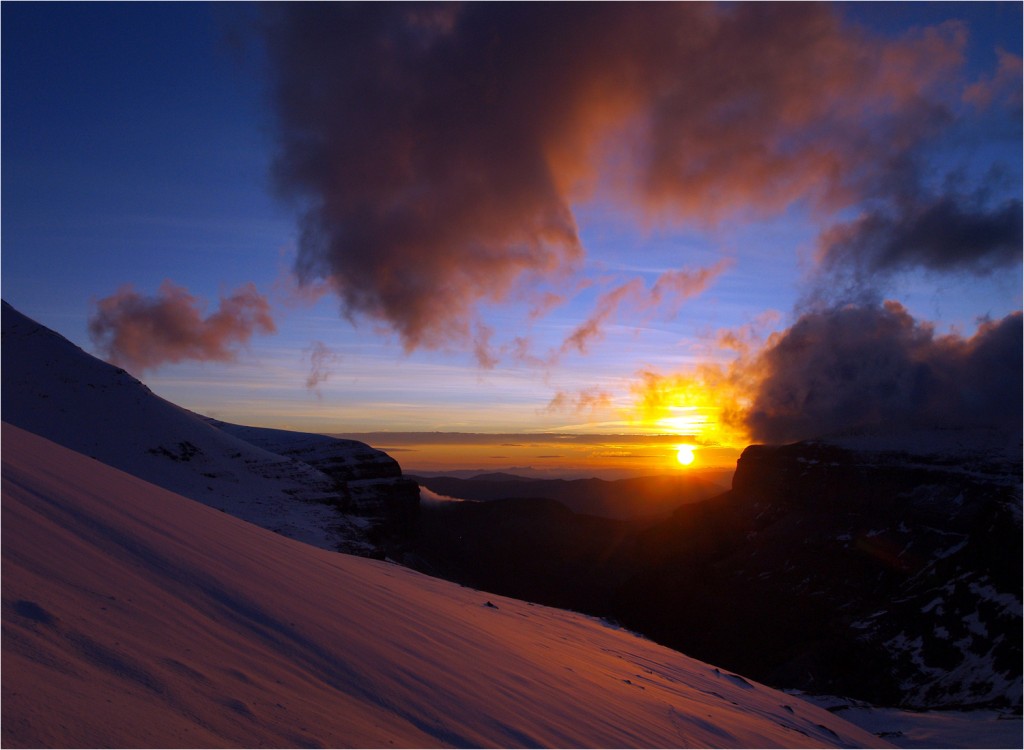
[[852, 569]]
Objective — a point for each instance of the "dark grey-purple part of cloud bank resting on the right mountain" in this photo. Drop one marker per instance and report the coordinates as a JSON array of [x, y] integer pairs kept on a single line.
[[875, 367]]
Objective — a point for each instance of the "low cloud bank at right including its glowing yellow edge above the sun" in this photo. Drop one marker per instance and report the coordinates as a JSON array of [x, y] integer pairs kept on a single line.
[[844, 369]]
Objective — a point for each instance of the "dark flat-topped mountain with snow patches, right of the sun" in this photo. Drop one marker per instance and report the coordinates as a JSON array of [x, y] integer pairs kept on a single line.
[[888, 576]]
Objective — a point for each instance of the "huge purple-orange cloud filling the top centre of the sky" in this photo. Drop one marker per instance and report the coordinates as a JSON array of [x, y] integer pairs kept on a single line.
[[437, 151]]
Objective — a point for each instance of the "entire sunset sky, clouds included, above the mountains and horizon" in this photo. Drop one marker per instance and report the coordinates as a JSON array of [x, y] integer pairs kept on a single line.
[[732, 224]]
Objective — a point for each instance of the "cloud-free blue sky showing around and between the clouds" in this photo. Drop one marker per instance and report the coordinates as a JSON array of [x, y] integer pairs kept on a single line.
[[138, 143]]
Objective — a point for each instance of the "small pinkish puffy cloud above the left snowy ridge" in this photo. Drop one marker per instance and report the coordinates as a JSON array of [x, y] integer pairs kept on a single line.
[[142, 334]]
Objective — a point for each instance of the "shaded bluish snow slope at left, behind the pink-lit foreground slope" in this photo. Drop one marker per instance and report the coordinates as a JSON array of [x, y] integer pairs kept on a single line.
[[54, 389]]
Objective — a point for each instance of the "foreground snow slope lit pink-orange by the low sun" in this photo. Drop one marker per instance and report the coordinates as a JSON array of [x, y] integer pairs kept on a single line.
[[137, 617]]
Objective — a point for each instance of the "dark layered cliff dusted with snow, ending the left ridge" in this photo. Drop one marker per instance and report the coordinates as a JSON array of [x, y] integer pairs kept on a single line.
[[370, 483]]
